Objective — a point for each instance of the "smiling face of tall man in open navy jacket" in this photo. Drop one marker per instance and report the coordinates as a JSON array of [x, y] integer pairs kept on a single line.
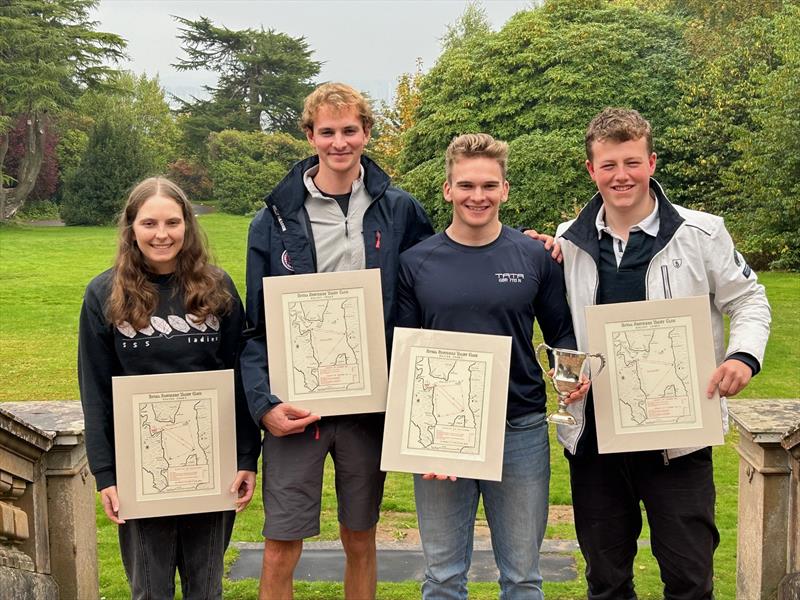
[[339, 138]]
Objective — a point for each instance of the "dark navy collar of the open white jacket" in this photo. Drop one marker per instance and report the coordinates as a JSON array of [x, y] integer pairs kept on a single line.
[[583, 232]]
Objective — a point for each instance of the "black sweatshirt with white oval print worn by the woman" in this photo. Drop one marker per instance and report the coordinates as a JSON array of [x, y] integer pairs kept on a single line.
[[171, 343]]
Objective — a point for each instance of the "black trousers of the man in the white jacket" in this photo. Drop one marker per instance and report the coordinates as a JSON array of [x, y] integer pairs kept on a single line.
[[679, 500]]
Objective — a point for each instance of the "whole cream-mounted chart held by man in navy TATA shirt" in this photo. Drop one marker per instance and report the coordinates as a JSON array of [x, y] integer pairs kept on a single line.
[[446, 410]]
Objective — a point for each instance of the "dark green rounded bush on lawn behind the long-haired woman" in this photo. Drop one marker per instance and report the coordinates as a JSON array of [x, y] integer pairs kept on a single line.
[[114, 161]]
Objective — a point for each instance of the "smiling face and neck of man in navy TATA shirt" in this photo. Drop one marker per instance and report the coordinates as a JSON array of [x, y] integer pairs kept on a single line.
[[476, 188]]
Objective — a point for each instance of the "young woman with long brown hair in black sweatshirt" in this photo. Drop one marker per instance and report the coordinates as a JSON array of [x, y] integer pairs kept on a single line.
[[162, 308]]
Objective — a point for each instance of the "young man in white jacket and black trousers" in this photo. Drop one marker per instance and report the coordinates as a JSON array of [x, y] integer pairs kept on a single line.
[[630, 243]]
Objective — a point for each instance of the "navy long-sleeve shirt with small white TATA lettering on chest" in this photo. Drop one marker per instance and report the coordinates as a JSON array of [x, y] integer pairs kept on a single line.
[[499, 289]]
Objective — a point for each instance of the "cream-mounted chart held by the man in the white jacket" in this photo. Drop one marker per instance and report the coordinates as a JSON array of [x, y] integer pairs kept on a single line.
[[652, 393]]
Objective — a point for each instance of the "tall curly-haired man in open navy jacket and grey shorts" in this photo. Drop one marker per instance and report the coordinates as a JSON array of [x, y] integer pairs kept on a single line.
[[335, 211]]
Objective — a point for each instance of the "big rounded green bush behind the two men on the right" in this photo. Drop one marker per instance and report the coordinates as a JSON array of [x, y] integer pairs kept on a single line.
[[536, 83]]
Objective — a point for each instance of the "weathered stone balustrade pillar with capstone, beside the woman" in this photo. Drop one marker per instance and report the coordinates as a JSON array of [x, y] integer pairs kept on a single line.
[[70, 496]]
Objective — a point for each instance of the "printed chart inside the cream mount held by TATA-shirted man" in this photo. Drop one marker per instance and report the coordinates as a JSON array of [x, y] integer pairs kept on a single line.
[[447, 396]]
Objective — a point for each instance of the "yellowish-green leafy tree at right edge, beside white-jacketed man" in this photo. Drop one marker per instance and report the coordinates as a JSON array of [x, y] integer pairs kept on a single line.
[[733, 143]]
